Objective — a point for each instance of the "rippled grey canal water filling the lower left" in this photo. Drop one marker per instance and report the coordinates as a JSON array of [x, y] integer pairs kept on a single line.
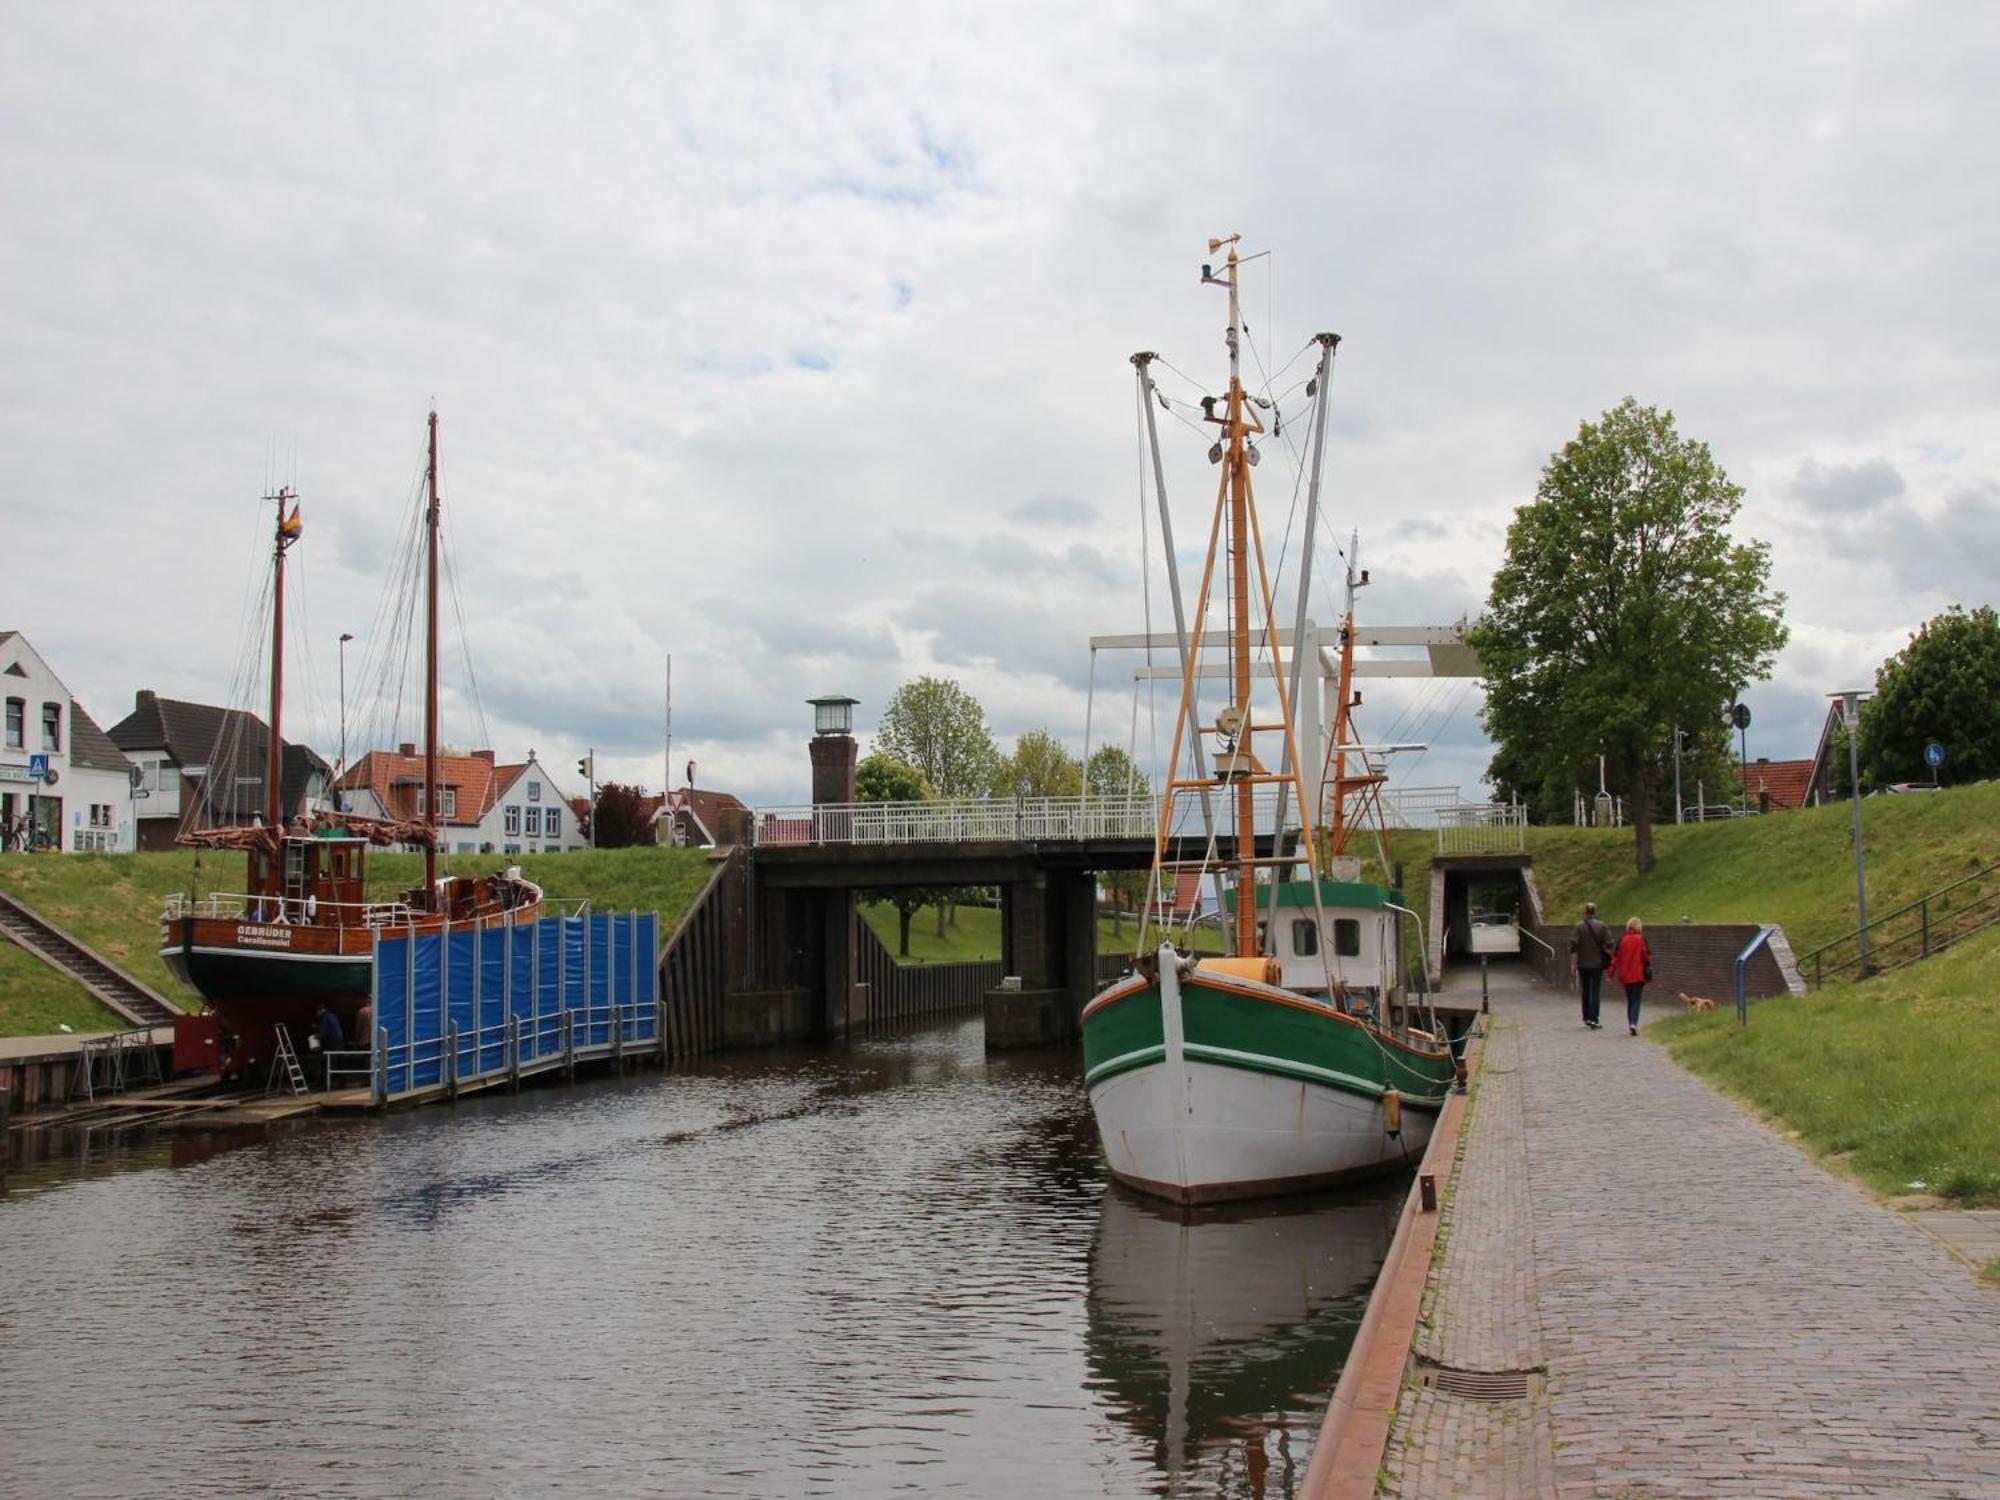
[[861, 1271]]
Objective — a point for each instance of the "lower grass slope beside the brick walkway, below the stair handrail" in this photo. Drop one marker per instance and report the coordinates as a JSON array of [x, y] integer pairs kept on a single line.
[[1895, 1077]]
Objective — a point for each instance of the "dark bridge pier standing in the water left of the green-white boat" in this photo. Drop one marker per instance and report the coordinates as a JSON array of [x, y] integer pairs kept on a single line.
[[1049, 943]]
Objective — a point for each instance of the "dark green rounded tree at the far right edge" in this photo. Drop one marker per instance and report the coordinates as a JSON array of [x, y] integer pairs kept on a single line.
[[1943, 687]]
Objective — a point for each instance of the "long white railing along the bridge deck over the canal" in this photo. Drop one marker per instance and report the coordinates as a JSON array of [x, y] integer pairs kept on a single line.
[[971, 821]]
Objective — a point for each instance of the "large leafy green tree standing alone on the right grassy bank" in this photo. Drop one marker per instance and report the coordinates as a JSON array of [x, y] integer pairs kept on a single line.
[[1623, 611]]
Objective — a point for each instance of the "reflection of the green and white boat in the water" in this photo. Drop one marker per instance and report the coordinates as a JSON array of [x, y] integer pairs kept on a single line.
[[1219, 1333]]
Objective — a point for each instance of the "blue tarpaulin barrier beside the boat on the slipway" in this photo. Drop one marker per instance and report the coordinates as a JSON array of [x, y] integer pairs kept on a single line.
[[527, 997]]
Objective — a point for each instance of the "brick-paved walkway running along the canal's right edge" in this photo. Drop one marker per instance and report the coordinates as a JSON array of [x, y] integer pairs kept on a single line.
[[1685, 1301]]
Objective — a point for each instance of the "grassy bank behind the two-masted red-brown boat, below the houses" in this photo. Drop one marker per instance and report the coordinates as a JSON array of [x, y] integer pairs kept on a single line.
[[111, 903]]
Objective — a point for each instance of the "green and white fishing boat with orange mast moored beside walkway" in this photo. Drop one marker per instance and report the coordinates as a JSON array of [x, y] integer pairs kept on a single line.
[[1285, 1065]]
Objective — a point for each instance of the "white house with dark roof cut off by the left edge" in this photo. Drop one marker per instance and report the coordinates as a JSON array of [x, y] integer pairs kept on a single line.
[[63, 783]]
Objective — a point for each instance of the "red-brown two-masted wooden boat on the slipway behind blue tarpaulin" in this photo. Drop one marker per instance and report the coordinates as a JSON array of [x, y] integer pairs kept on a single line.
[[303, 931]]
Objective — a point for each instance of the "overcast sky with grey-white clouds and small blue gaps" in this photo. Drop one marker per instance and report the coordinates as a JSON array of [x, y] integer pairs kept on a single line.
[[791, 343]]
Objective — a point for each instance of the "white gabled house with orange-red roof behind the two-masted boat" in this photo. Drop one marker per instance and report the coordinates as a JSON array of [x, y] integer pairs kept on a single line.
[[485, 807]]
